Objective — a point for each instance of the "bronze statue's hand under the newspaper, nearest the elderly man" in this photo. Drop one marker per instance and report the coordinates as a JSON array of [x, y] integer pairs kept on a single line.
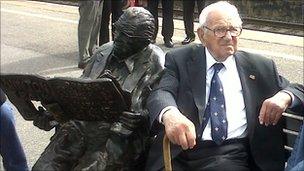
[[127, 123]]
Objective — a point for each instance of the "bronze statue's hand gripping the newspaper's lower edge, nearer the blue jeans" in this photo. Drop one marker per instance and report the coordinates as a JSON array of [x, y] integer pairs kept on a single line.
[[44, 120]]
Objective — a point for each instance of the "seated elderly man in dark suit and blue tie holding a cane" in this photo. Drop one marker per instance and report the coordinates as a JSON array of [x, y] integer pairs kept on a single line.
[[219, 107]]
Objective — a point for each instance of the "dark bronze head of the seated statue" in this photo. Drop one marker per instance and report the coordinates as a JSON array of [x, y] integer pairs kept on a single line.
[[134, 31]]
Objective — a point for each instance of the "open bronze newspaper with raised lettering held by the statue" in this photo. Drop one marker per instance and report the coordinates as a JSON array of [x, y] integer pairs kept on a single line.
[[78, 98]]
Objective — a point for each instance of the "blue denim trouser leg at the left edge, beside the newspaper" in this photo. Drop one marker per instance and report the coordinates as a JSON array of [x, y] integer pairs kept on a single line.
[[10, 147]]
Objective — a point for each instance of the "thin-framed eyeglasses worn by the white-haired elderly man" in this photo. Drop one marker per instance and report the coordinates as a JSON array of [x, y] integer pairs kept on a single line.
[[222, 31]]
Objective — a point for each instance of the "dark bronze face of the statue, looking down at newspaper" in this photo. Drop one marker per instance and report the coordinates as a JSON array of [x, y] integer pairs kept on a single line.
[[125, 46]]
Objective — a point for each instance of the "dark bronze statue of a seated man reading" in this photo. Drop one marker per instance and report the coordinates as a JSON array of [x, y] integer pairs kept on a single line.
[[99, 145]]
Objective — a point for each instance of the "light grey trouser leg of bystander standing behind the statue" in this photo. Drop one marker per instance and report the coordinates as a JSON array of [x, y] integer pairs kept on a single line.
[[90, 12]]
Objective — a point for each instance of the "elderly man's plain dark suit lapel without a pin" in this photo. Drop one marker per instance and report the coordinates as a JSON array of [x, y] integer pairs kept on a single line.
[[197, 73]]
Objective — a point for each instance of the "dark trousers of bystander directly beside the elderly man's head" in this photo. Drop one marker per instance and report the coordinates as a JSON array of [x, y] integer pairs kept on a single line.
[[188, 11]]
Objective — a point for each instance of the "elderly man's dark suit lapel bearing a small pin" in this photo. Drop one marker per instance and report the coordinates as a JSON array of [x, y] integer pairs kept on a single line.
[[248, 77]]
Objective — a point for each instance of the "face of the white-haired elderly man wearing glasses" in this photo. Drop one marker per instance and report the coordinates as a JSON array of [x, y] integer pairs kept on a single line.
[[220, 47]]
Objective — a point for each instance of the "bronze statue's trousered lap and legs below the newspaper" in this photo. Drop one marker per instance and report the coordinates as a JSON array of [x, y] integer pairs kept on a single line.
[[91, 145]]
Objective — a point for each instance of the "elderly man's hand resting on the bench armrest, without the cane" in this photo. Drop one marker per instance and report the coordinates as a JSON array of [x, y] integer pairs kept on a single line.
[[272, 108]]
